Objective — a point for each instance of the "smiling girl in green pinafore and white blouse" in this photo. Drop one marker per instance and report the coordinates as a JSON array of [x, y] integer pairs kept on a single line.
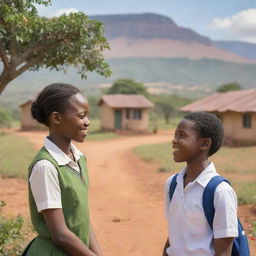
[[58, 178]]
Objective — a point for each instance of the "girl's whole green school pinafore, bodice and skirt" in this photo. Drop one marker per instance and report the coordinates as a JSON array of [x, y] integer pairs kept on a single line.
[[74, 199]]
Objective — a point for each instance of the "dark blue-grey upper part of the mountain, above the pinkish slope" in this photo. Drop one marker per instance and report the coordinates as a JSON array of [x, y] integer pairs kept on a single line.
[[147, 26]]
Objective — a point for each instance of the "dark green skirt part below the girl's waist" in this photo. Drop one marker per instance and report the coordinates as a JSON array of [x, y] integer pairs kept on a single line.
[[43, 247]]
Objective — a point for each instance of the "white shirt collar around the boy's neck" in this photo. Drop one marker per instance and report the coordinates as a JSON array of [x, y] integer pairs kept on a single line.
[[203, 177]]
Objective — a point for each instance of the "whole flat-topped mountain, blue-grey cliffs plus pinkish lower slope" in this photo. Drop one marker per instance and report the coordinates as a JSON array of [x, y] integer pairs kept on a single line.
[[153, 35]]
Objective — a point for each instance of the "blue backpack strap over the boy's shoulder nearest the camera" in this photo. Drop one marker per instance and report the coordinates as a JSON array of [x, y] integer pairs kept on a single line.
[[208, 198]]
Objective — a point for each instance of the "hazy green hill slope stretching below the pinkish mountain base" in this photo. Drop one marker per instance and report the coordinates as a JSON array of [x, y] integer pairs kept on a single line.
[[185, 77]]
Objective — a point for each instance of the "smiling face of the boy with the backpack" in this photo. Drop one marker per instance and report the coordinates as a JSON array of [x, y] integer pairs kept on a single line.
[[187, 144]]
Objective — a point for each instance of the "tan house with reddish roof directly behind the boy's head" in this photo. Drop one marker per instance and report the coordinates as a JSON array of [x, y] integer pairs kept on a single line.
[[237, 111]]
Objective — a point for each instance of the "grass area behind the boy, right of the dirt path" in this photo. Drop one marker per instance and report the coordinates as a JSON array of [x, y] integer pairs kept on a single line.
[[238, 161]]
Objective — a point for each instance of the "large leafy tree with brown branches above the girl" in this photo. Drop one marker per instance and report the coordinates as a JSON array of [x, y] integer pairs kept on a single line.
[[30, 42]]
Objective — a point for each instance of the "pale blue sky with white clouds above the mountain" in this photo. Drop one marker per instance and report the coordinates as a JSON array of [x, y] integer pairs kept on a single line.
[[217, 19]]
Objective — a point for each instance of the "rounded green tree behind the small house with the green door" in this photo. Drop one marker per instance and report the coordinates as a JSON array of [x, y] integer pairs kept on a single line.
[[127, 86]]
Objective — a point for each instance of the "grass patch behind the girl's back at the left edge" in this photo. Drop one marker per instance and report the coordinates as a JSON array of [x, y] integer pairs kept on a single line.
[[16, 153]]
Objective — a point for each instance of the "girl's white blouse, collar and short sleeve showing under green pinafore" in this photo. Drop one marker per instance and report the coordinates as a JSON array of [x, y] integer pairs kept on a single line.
[[44, 180]]
